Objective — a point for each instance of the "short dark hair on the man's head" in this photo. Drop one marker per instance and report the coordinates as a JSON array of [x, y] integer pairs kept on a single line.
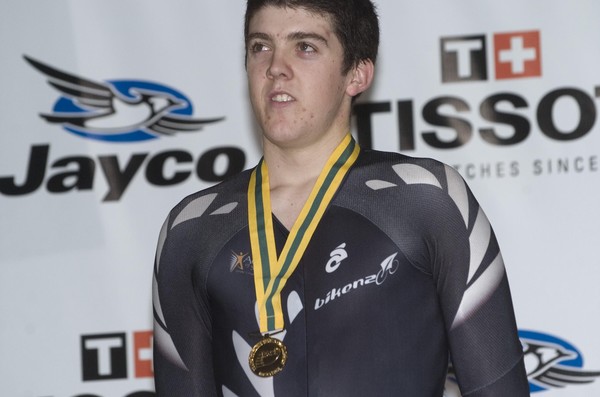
[[354, 21]]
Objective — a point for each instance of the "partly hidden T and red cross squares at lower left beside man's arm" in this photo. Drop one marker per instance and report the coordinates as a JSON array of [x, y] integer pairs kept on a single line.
[[104, 356]]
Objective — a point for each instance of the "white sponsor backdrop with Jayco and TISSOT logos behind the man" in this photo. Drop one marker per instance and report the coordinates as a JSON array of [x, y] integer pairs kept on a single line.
[[110, 112]]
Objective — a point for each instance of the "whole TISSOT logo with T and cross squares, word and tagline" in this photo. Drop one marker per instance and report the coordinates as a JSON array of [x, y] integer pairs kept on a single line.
[[450, 120]]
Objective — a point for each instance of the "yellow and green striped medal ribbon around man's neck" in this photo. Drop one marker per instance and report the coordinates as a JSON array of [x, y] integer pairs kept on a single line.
[[270, 272]]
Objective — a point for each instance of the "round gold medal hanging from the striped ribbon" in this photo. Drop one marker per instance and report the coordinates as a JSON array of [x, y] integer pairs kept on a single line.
[[268, 357]]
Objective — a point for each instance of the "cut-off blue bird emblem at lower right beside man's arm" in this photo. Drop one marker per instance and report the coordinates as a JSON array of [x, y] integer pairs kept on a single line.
[[552, 362]]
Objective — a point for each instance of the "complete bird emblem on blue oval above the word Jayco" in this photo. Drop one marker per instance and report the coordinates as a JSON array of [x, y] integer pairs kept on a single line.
[[118, 110]]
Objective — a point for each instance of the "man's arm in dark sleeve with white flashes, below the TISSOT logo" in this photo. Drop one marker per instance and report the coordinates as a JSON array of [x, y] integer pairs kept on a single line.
[[474, 293]]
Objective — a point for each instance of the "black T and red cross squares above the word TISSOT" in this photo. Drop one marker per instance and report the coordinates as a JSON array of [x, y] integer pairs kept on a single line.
[[516, 55]]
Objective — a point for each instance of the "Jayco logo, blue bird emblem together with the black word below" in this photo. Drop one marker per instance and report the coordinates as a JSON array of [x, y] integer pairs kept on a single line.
[[118, 111]]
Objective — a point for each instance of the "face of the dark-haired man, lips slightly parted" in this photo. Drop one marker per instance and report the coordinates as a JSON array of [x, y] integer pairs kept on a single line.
[[294, 66]]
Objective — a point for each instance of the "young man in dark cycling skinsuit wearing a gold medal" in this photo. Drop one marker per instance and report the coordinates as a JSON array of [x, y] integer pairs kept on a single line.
[[327, 270]]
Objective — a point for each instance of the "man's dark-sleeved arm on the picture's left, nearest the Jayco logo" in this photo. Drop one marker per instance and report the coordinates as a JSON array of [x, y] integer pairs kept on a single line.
[[182, 338]]
